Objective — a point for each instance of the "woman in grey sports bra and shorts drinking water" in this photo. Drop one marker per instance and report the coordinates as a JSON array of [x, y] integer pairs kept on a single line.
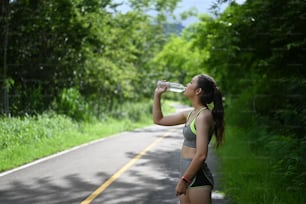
[[196, 183]]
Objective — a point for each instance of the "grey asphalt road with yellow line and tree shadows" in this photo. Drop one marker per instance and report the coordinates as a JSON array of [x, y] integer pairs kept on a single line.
[[137, 167]]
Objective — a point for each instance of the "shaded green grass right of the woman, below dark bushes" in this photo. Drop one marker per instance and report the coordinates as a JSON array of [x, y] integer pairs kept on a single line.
[[249, 176]]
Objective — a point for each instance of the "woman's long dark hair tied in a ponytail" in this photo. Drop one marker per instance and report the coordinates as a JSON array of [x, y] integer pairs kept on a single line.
[[211, 93]]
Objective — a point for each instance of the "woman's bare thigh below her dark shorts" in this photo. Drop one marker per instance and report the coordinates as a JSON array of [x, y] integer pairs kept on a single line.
[[200, 195]]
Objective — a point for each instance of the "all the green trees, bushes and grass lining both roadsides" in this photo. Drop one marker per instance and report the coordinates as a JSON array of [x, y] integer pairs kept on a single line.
[[72, 69]]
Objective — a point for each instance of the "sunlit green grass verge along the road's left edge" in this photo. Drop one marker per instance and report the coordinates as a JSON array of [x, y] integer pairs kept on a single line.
[[23, 140]]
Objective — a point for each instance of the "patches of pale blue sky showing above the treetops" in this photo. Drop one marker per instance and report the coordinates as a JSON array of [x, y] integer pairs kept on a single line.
[[202, 6]]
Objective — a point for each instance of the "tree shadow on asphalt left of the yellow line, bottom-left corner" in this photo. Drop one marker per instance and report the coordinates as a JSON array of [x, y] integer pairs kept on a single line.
[[45, 191]]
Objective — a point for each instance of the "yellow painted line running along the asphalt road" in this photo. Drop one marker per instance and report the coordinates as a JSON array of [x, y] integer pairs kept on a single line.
[[116, 175]]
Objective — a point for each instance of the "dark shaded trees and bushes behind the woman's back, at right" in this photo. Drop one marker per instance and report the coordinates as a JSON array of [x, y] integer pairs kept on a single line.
[[257, 55]]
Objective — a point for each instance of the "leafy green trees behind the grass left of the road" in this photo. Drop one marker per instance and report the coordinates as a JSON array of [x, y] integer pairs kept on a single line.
[[58, 45]]
